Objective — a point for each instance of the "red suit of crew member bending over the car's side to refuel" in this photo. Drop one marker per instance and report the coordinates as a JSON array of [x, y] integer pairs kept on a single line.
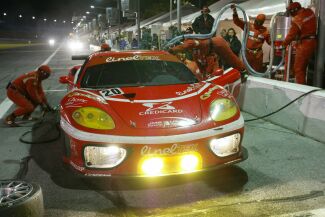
[[206, 49]]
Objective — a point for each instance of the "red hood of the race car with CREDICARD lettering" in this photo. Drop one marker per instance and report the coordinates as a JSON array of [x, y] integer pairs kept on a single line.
[[156, 106]]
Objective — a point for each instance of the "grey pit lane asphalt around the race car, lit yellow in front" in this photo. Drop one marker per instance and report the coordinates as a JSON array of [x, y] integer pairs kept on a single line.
[[285, 172]]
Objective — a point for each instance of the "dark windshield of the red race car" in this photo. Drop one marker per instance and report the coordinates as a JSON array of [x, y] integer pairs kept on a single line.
[[137, 73]]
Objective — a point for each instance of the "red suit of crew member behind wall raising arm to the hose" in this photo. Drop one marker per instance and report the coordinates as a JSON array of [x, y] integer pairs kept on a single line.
[[255, 41]]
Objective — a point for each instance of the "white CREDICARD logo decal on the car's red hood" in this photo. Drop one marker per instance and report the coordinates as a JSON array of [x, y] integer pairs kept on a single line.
[[160, 108]]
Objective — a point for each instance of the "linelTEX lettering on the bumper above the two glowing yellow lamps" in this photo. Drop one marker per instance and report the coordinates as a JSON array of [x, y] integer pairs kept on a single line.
[[173, 149]]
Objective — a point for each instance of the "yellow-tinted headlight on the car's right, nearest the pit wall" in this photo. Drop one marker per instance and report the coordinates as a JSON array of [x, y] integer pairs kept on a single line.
[[222, 109]]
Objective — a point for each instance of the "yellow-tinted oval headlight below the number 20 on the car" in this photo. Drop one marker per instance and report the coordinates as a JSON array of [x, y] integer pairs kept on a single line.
[[94, 118]]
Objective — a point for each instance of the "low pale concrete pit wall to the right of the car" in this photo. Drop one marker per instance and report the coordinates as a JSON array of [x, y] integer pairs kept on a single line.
[[306, 116]]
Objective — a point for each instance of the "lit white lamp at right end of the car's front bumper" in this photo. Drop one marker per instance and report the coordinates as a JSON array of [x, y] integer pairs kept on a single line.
[[225, 146]]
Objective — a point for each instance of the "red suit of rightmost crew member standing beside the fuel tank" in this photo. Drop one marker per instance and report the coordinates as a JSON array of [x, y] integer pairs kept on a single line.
[[303, 28]]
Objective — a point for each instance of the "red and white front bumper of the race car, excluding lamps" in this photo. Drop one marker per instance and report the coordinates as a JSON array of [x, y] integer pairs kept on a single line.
[[169, 148]]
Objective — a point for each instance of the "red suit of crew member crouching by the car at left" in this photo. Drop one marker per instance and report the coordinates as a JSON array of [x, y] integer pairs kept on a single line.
[[26, 92]]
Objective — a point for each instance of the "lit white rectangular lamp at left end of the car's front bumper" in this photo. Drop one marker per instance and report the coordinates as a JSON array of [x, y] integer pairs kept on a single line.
[[103, 157]]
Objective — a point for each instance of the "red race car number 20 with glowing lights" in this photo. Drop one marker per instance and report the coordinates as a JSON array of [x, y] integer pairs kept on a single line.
[[144, 113]]
